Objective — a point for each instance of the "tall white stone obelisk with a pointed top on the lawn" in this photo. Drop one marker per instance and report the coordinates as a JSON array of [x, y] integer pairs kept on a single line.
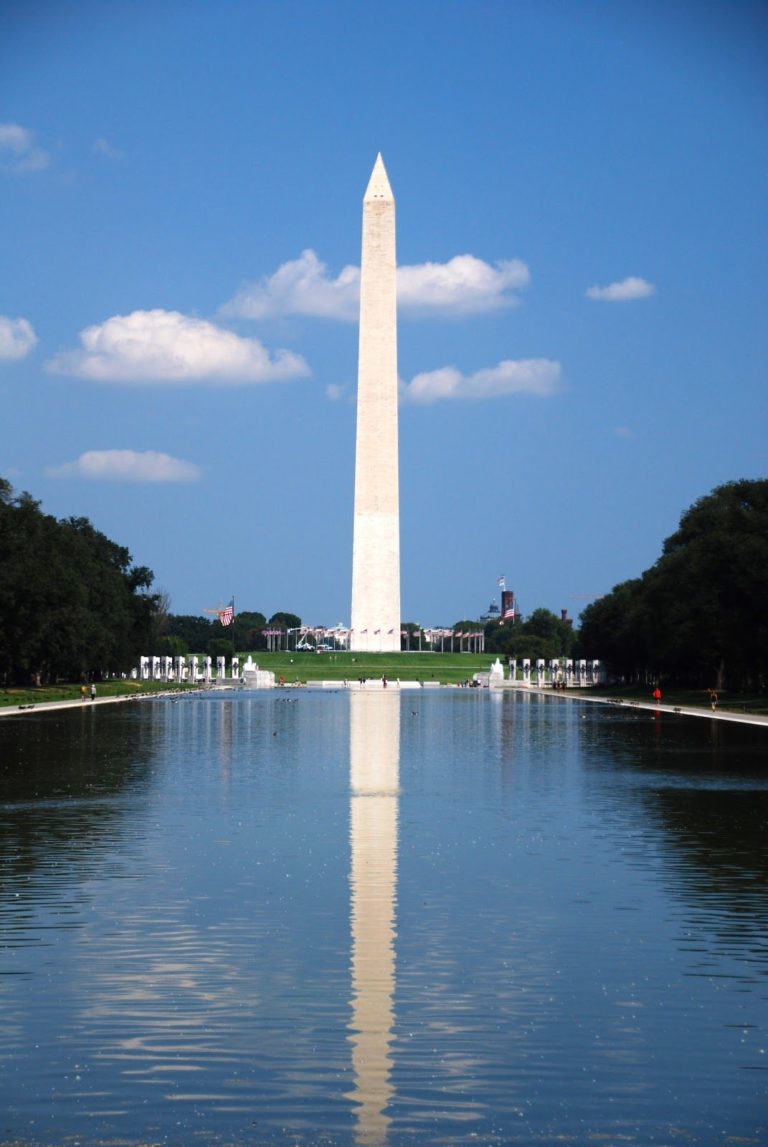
[[377, 541]]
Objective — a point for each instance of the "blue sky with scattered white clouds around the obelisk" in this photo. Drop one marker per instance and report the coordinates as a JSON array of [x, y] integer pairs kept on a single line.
[[582, 233]]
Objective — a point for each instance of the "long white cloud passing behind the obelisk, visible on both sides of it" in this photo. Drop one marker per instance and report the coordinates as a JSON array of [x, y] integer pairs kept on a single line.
[[464, 286]]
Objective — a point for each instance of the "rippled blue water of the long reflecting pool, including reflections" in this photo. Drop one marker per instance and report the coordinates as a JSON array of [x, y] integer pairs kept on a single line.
[[444, 917]]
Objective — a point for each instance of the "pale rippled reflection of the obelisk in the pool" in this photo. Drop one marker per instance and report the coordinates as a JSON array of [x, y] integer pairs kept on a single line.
[[374, 768]]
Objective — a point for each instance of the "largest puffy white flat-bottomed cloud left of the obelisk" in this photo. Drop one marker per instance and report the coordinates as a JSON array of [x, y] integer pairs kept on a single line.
[[148, 347]]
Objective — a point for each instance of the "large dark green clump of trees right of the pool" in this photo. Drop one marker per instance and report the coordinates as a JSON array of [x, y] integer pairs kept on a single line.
[[699, 615]]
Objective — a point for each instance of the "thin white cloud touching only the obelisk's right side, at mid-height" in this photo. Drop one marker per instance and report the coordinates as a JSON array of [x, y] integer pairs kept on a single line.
[[528, 377]]
